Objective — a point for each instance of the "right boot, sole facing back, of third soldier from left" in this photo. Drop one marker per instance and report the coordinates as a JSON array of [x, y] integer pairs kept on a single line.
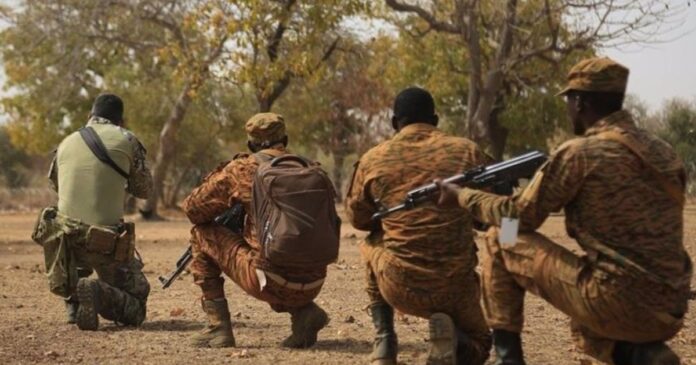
[[443, 340]]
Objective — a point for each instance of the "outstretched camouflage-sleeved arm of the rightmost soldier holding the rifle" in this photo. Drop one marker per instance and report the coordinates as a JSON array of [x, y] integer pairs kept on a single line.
[[553, 186]]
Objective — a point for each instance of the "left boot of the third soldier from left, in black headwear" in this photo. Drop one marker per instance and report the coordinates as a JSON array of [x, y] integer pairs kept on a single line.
[[386, 345]]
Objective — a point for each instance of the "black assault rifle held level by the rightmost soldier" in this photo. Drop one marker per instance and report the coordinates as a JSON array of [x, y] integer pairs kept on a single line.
[[482, 176]]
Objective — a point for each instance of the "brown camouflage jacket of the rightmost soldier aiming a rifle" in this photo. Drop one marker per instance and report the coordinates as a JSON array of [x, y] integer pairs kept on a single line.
[[609, 198]]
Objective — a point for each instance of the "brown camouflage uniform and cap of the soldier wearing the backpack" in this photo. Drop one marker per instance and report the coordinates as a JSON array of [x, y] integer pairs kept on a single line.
[[217, 249]]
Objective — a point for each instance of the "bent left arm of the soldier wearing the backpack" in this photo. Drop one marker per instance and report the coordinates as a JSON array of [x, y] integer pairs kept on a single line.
[[212, 197]]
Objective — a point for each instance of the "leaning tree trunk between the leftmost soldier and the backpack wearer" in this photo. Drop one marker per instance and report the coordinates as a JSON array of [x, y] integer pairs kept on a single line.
[[165, 151]]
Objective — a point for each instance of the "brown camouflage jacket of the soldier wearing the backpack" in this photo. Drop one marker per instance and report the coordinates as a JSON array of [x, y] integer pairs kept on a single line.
[[227, 185]]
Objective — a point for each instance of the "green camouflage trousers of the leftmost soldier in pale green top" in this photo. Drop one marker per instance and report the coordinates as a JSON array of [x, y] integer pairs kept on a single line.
[[124, 288]]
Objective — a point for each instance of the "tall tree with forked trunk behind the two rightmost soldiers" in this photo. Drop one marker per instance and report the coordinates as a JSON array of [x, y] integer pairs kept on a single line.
[[502, 38]]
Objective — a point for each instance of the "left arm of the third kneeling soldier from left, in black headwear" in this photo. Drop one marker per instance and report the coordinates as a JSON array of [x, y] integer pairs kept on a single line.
[[359, 204]]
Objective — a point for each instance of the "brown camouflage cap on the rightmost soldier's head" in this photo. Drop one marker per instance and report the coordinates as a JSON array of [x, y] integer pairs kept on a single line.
[[600, 74]]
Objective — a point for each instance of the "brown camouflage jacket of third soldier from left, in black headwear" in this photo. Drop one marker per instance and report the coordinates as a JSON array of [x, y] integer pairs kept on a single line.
[[427, 237]]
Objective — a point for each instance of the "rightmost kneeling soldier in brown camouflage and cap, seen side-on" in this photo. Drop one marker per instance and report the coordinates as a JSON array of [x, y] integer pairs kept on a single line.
[[622, 190]]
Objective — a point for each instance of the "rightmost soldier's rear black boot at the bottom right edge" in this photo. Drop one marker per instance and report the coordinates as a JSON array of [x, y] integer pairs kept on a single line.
[[654, 353]]
